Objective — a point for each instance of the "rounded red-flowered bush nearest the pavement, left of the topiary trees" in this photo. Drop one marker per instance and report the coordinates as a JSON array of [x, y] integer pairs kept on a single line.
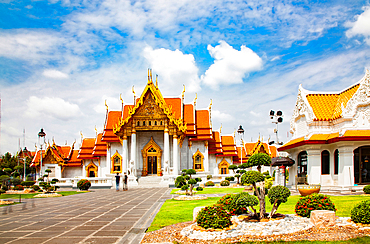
[[215, 217]]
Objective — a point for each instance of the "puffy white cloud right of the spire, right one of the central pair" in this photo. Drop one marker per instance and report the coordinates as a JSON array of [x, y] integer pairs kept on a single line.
[[230, 65]]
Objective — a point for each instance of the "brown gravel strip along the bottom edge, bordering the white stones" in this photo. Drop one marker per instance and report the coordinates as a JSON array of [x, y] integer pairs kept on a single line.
[[339, 232]]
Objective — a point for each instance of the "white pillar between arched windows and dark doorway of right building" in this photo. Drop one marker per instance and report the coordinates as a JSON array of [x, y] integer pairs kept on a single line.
[[345, 167]]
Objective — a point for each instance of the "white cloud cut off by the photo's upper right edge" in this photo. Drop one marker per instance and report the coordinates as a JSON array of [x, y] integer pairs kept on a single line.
[[361, 26]]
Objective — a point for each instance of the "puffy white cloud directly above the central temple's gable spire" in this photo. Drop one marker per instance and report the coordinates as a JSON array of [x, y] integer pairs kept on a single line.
[[174, 69]]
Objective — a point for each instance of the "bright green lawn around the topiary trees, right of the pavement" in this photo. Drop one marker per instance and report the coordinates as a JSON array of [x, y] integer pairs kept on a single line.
[[174, 211]]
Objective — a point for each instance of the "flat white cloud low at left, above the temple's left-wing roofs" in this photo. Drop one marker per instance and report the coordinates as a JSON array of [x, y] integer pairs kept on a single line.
[[51, 107]]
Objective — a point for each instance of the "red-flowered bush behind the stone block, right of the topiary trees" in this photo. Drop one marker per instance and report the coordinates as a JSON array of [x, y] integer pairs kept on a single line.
[[312, 202]]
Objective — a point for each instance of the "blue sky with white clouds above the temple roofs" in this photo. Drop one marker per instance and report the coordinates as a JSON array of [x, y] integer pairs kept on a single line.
[[60, 60]]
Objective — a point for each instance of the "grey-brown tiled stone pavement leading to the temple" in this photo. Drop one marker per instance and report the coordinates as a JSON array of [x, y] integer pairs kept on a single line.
[[100, 216]]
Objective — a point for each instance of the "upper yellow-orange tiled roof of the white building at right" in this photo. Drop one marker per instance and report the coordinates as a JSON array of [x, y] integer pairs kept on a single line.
[[328, 107]]
